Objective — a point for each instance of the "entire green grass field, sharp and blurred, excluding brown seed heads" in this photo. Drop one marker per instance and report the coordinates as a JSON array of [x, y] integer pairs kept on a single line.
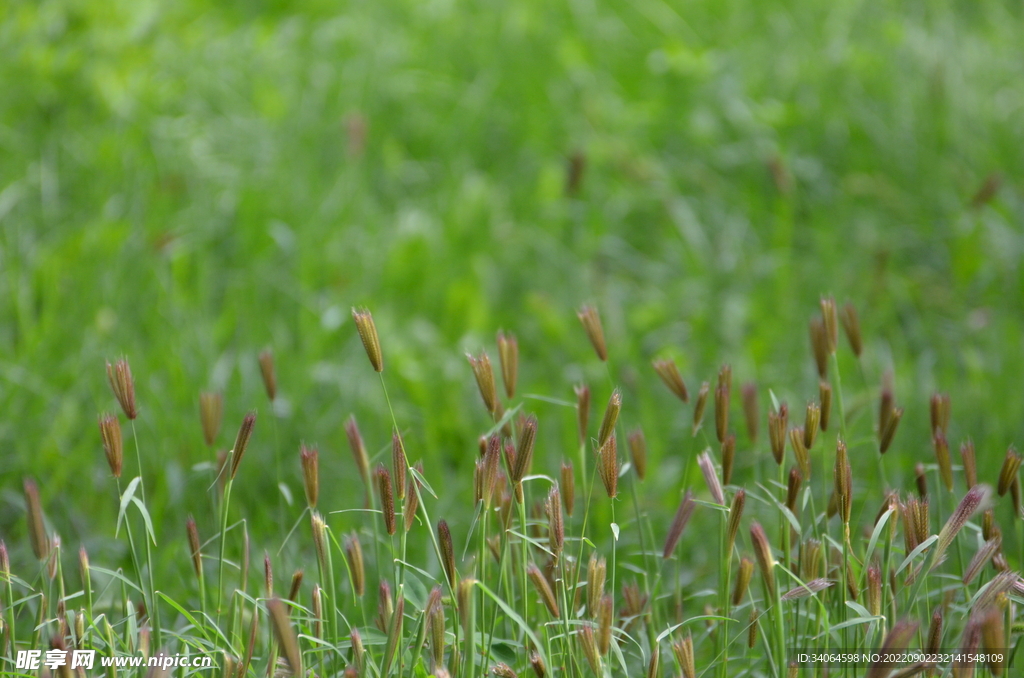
[[187, 186]]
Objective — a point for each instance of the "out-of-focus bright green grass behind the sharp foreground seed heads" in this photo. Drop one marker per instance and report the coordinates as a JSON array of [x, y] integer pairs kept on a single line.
[[189, 184]]
